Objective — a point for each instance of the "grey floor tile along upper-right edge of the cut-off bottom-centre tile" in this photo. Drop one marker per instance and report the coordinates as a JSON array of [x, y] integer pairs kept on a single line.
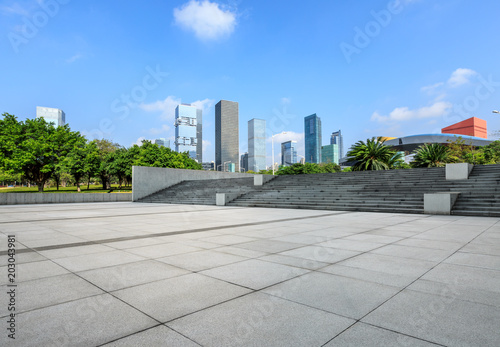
[[344, 296]]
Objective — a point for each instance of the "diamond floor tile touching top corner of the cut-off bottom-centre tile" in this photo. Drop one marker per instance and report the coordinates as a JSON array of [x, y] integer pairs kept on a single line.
[[254, 273]]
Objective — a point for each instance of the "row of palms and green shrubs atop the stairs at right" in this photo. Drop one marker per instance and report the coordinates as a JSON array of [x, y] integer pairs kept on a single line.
[[375, 155]]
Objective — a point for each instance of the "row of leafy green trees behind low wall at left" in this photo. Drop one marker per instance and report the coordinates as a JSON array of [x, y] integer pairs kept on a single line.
[[38, 151]]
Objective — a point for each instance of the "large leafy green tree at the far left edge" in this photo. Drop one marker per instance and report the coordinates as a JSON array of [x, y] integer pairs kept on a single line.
[[33, 148]]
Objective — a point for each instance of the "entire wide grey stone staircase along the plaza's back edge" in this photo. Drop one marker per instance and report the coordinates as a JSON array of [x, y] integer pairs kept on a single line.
[[399, 191]]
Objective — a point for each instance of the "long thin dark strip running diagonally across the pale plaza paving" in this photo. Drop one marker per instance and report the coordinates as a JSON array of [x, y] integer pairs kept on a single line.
[[138, 237]]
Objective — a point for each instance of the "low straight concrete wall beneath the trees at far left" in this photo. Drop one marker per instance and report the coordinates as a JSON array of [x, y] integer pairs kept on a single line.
[[61, 198]]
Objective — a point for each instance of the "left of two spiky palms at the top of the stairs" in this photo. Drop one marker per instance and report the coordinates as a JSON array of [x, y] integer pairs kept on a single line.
[[372, 155]]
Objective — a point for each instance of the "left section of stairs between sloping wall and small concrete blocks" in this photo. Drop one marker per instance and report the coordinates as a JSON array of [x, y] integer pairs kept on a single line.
[[200, 192]]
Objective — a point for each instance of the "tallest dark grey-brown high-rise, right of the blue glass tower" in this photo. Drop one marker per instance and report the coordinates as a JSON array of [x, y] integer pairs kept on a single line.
[[226, 135]]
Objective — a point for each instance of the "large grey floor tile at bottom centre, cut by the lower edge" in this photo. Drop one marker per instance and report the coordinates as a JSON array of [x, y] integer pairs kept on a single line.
[[260, 320]]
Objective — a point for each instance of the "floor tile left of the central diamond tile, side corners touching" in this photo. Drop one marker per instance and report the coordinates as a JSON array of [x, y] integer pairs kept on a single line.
[[131, 274]]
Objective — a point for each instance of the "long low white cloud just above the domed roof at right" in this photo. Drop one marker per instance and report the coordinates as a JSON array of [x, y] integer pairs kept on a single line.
[[438, 109]]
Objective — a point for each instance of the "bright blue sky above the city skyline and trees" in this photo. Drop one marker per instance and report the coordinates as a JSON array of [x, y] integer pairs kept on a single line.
[[370, 68]]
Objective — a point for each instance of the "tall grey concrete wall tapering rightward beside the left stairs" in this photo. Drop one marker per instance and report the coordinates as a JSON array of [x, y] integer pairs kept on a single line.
[[149, 180]]
